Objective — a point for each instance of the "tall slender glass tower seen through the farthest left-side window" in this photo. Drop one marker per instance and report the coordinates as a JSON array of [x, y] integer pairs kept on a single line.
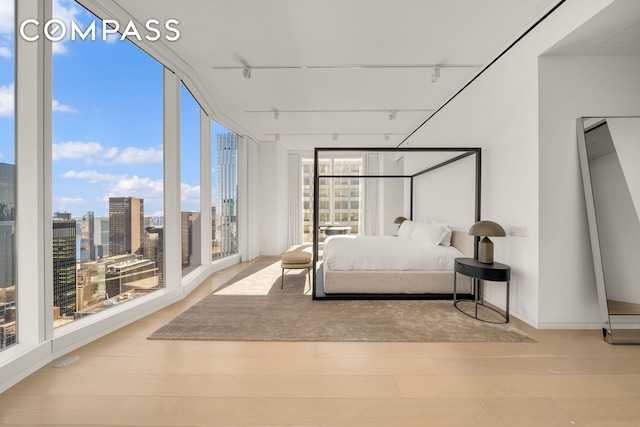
[[227, 192]]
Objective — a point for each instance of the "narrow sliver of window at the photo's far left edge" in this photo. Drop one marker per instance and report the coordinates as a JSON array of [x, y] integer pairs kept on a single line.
[[7, 176]]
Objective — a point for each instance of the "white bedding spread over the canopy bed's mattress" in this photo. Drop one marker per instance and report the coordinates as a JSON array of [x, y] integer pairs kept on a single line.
[[386, 253]]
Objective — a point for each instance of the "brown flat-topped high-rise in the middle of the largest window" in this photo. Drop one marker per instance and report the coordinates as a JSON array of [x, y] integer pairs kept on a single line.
[[126, 226]]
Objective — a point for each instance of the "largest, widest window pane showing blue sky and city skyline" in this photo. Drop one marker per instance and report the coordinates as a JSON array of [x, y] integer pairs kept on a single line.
[[107, 172]]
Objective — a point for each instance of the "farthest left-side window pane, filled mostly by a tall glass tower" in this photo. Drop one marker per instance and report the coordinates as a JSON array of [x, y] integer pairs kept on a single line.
[[224, 212]]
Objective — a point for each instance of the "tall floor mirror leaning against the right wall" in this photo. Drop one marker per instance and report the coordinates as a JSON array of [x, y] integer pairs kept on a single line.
[[609, 149]]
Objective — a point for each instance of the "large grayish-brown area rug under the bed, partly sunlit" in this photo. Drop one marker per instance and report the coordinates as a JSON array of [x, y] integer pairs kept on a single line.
[[252, 307]]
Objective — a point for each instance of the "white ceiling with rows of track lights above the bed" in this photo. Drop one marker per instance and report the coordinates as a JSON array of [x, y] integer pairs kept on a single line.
[[332, 72]]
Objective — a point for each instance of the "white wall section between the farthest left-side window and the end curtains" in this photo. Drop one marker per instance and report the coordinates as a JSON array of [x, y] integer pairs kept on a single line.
[[273, 198]]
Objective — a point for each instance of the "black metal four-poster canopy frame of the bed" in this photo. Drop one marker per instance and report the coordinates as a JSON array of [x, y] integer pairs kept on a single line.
[[466, 152]]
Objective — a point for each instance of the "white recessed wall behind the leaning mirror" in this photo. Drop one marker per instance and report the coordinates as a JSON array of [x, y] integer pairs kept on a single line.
[[571, 87]]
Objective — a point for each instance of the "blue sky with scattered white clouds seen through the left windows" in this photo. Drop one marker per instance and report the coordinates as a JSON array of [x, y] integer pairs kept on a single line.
[[107, 120]]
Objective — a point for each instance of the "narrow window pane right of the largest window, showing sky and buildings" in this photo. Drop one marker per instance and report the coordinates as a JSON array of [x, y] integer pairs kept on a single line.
[[190, 218]]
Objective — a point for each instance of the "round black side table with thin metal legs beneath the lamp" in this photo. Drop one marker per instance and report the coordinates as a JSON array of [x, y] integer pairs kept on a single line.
[[478, 271]]
